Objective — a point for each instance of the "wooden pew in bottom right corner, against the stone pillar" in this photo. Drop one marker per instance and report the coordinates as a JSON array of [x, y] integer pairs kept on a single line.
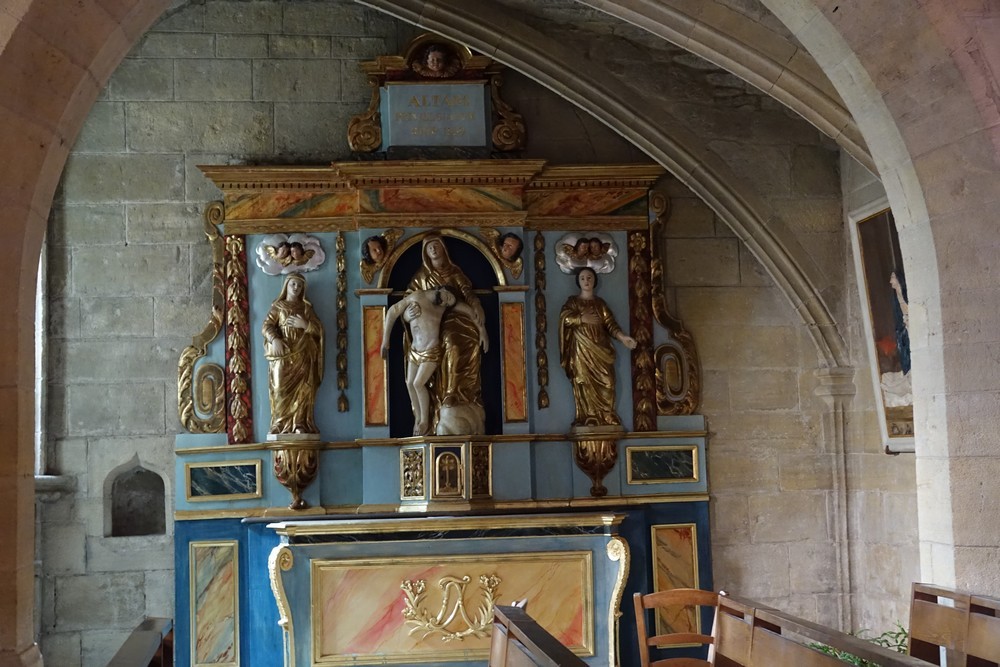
[[963, 626]]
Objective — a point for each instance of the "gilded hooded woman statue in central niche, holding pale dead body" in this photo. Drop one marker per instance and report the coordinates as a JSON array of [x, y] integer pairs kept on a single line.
[[456, 386]]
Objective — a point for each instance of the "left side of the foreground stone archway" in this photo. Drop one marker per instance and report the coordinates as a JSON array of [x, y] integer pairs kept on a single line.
[[54, 60]]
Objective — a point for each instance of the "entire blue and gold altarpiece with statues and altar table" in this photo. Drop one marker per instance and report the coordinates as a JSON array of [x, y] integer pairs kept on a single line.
[[430, 386]]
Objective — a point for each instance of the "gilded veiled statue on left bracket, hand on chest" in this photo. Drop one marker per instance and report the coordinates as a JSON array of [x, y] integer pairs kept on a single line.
[[293, 345]]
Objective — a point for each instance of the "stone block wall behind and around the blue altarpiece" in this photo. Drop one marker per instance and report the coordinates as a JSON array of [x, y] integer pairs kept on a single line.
[[228, 81]]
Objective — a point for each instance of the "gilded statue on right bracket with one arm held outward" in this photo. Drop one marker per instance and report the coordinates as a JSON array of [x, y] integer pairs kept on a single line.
[[586, 353]]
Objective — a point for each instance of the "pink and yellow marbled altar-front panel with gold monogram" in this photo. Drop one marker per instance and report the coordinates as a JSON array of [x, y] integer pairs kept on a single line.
[[359, 605]]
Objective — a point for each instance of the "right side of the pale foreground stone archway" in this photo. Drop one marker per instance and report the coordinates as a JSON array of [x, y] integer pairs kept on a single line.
[[935, 143]]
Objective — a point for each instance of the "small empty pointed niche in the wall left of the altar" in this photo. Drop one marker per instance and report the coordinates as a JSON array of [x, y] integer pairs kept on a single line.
[[138, 505]]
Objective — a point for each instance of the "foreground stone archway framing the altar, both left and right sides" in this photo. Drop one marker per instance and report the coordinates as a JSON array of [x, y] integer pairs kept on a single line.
[[55, 58]]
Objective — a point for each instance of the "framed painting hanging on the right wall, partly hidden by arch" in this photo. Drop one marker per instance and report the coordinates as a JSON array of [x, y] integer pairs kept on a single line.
[[885, 309]]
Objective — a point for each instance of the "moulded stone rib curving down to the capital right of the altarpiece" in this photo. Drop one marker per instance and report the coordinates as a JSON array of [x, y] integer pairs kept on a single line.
[[652, 129]]
